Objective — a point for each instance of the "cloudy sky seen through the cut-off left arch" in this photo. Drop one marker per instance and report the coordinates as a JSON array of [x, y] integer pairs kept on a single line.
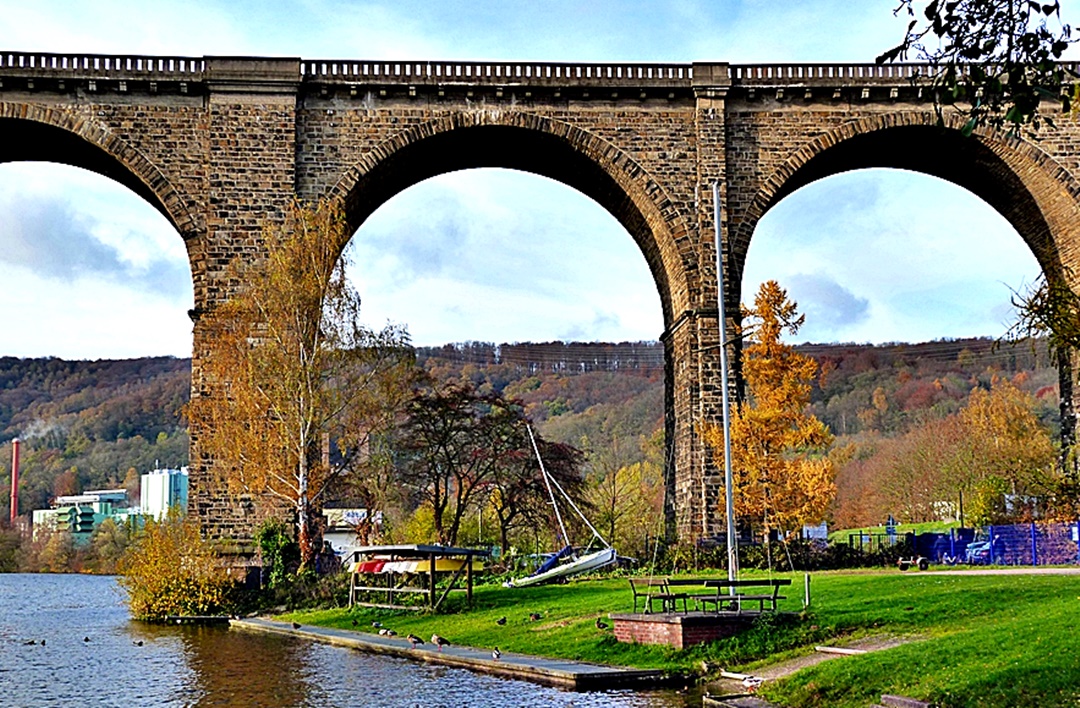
[[91, 270]]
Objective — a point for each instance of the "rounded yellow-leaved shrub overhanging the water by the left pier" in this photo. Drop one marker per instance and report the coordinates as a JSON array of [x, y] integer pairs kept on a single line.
[[170, 570]]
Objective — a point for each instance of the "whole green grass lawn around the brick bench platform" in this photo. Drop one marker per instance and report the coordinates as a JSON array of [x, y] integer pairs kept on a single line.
[[983, 641]]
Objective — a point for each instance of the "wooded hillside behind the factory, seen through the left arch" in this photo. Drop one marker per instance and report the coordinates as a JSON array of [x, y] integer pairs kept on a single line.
[[88, 425]]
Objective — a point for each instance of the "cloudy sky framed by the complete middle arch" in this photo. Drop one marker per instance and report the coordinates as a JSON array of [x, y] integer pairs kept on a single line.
[[503, 256]]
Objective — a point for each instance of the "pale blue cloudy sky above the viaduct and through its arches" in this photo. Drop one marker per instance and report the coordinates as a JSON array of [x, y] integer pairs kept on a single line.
[[88, 270]]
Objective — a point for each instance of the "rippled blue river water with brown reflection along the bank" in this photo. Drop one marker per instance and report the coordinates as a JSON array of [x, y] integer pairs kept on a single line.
[[127, 663]]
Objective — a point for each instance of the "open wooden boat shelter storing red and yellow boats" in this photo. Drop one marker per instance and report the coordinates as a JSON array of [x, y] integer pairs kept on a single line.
[[388, 573]]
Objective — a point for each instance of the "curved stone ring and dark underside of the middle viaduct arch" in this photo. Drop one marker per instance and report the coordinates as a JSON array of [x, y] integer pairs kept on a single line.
[[543, 146]]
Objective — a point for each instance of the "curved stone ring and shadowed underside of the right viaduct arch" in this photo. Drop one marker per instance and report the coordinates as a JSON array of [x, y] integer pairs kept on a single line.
[[1028, 187]]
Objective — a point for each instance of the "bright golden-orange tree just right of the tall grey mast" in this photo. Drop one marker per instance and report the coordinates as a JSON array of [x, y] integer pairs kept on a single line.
[[784, 478]]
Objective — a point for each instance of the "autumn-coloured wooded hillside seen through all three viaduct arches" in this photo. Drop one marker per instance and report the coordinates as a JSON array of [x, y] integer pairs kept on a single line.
[[88, 425]]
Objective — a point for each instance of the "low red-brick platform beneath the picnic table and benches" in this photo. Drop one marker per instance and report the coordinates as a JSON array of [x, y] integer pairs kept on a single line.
[[679, 631]]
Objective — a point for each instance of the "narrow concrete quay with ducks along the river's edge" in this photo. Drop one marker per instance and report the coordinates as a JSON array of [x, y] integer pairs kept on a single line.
[[551, 672]]
